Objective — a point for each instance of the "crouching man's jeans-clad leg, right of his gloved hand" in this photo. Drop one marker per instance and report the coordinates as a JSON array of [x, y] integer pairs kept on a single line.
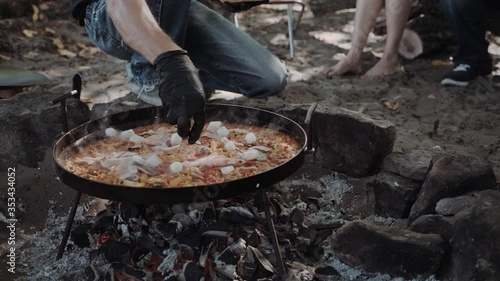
[[228, 58]]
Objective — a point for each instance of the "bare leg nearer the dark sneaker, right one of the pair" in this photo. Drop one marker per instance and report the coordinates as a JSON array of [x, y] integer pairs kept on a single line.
[[397, 12]]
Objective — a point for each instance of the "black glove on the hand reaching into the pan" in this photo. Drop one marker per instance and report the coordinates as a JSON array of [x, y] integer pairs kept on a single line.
[[181, 92]]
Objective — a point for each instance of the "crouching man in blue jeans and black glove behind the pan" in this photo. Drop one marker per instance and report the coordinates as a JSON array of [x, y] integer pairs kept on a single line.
[[177, 50]]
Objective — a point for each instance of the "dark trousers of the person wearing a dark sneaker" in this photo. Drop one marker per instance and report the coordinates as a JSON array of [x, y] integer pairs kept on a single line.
[[468, 20]]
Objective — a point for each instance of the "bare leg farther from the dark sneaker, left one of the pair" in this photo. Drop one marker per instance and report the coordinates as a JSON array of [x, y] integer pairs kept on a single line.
[[364, 19]]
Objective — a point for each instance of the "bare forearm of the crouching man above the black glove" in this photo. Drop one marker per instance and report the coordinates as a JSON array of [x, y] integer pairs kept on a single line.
[[138, 28]]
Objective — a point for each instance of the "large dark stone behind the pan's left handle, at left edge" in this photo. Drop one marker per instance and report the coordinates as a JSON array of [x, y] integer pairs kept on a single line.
[[31, 125]]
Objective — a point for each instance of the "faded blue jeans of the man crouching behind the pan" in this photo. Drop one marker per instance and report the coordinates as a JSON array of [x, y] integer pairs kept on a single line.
[[226, 57]]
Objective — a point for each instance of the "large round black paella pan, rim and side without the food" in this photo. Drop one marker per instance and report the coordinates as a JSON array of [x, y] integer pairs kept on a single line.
[[94, 130]]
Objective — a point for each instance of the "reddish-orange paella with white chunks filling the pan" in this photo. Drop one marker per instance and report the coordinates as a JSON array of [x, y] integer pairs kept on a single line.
[[155, 155]]
